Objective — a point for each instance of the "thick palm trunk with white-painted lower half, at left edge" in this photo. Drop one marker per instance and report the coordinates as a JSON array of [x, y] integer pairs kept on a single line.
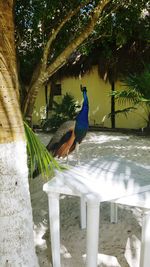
[[16, 226]]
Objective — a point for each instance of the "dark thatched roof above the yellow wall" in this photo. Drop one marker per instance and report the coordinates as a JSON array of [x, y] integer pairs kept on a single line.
[[126, 59]]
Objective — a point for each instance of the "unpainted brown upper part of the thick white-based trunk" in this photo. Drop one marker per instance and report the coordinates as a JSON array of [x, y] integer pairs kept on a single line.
[[11, 126]]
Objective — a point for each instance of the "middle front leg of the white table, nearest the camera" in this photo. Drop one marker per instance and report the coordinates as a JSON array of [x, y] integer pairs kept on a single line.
[[92, 233]]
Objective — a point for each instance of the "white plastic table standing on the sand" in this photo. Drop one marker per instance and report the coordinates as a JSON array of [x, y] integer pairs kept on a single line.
[[102, 179]]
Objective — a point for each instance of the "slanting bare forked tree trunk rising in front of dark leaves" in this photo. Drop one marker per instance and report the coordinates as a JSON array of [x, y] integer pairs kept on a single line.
[[44, 74]]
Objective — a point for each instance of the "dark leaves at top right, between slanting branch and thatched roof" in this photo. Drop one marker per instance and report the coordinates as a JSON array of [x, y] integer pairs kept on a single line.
[[122, 21]]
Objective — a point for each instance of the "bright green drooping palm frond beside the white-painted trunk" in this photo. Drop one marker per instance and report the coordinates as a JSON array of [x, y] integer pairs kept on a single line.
[[38, 155]]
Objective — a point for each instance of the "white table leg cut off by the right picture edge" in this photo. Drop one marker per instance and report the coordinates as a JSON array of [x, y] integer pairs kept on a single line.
[[145, 241]]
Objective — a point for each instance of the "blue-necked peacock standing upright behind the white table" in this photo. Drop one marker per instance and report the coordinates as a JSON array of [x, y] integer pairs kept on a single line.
[[70, 134]]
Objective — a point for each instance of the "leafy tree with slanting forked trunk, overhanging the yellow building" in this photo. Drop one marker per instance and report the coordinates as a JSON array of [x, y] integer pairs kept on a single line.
[[48, 33]]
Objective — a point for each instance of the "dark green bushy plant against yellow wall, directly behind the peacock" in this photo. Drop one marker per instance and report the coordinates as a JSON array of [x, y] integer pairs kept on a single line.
[[64, 111]]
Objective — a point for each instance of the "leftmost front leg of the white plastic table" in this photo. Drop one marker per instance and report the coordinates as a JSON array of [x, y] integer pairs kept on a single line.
[[53, 200]]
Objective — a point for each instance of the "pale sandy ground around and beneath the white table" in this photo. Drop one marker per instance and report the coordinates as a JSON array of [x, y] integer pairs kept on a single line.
[[119, 244]]
